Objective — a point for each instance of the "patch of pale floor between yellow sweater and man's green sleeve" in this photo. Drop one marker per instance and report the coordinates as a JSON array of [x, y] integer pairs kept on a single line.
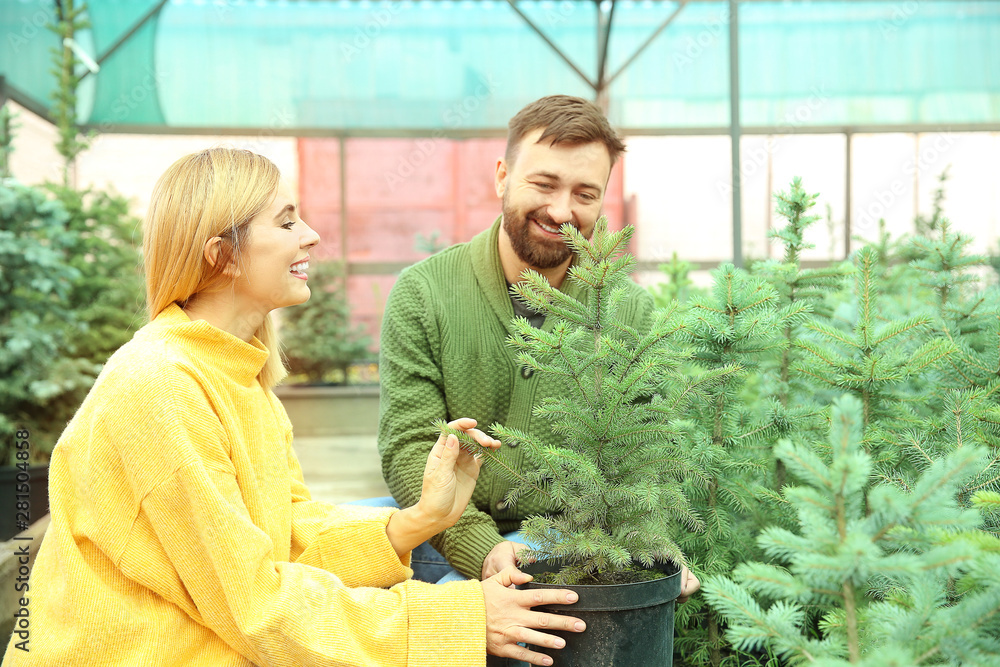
[[341, 468]]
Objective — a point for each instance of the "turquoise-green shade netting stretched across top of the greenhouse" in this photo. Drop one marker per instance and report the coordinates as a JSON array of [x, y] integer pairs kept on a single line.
[[347, 65]]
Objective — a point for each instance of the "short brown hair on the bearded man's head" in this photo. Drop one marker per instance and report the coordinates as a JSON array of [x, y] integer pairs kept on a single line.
[[566, 119]]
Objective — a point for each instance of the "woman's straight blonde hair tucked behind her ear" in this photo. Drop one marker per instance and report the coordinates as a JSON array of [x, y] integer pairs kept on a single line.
[[212, 193]]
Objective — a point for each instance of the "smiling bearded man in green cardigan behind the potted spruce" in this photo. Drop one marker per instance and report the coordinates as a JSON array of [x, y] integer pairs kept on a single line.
[[443, 347]]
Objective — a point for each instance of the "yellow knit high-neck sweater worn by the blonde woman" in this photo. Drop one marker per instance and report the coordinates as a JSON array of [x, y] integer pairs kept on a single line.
[[182, 533]]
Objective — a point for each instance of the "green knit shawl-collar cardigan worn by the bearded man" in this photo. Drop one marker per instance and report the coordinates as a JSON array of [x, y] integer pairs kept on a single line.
[[444, 356]]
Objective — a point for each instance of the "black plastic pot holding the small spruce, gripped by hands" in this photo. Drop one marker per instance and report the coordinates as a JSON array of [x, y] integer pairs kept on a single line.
[[628, 625]]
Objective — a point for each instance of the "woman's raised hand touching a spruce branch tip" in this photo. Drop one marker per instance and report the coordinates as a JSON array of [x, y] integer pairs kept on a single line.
[[449, 479]]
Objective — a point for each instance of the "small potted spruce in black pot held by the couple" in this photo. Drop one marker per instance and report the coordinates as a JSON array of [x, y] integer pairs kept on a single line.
[[614, 485]]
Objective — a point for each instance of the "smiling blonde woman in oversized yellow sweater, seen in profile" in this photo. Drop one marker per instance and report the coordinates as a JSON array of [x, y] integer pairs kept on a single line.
[[182, 533]]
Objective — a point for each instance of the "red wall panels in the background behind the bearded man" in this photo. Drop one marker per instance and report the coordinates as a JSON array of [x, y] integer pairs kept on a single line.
[[395, 190]]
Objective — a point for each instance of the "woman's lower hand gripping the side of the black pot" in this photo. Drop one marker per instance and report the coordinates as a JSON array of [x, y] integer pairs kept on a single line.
[[510, 619]]
